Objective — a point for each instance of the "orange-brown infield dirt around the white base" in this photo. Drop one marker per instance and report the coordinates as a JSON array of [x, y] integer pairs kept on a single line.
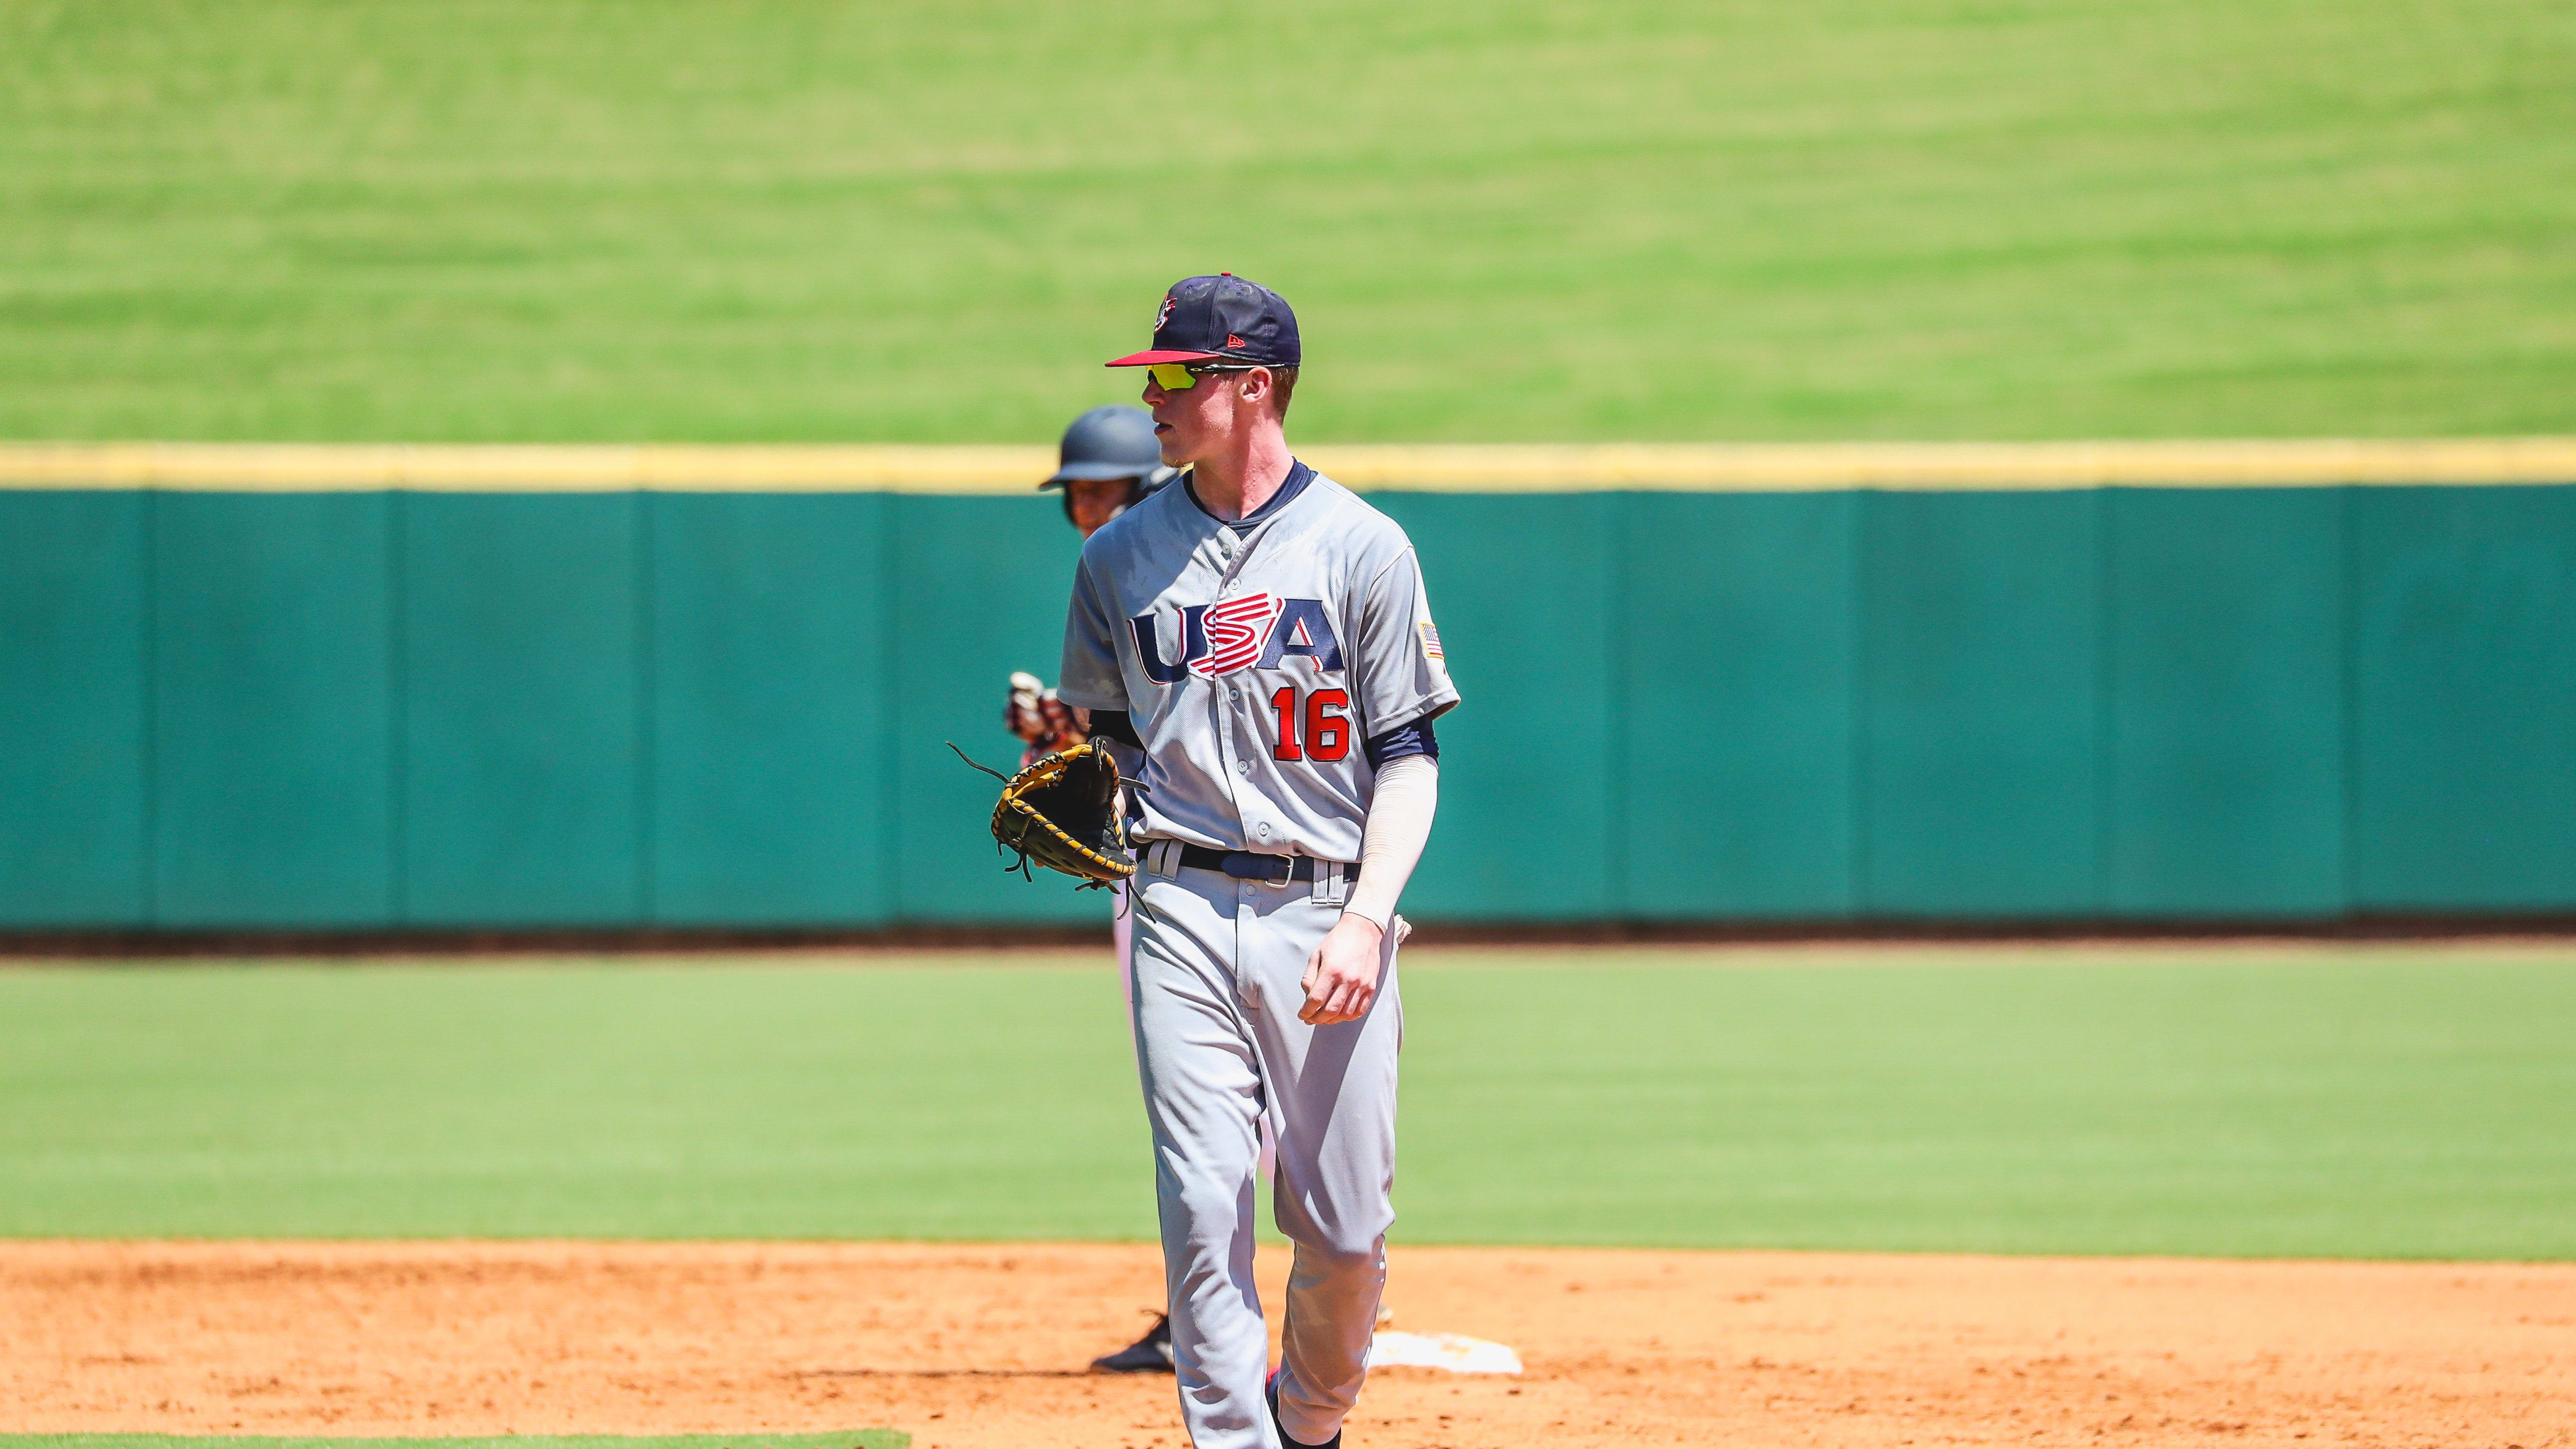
[[978, 1347]]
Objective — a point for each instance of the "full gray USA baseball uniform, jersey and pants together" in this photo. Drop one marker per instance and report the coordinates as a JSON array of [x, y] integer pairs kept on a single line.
[[1253, 664]]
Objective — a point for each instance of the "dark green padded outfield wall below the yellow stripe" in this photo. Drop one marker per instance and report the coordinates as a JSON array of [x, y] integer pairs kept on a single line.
[[604, 708]]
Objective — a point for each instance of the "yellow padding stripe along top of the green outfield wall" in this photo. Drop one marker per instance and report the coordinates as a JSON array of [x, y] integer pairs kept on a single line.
[[1434, 468]]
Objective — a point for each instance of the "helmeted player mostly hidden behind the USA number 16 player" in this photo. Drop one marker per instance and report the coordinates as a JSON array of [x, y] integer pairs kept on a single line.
[[1109, 463]]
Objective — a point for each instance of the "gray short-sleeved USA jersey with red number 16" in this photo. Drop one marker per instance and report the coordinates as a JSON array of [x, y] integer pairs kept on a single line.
[[1256, 661]]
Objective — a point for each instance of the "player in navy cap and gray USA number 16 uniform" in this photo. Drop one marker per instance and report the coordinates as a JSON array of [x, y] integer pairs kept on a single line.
[[1261, 636]]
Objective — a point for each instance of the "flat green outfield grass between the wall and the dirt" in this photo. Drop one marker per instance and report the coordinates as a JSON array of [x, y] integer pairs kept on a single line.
[[2263, 1102]]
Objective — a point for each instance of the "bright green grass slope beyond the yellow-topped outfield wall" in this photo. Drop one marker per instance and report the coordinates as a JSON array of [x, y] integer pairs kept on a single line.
[[1501, 220]]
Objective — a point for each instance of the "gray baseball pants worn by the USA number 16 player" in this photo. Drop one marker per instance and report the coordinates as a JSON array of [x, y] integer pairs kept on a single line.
[[1217, 971]]
